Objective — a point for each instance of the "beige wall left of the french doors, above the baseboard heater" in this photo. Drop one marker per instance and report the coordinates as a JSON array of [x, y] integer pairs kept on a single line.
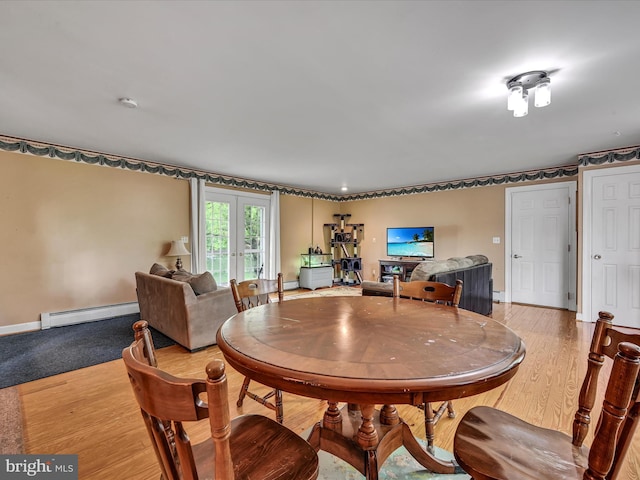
[[73, 234]]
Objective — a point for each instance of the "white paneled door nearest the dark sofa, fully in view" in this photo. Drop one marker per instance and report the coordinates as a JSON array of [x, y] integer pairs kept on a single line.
[[541, 245]]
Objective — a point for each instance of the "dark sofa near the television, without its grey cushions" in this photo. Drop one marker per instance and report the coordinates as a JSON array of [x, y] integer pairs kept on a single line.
[[477, 287]]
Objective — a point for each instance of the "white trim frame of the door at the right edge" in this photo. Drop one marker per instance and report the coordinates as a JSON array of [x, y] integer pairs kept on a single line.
[[587, 219]]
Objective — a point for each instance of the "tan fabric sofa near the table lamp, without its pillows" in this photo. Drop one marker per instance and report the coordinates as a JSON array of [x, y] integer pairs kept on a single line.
[[171, 307]]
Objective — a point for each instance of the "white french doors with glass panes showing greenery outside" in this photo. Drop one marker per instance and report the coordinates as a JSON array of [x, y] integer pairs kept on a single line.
[[236, 234]]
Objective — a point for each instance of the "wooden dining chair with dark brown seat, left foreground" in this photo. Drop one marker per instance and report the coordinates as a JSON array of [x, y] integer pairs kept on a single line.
[[247, 447]]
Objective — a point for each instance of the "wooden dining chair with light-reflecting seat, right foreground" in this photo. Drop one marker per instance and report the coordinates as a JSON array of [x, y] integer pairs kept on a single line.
[[490, 444]]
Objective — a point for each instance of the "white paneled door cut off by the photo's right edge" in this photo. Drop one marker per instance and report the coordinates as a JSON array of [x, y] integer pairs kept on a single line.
[[613, 255]]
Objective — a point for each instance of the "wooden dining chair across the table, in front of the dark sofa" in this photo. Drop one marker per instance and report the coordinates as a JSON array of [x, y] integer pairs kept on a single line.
[[438, 293]]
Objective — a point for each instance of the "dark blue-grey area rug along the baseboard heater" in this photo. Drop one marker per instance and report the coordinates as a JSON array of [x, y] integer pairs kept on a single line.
[[29, 356]]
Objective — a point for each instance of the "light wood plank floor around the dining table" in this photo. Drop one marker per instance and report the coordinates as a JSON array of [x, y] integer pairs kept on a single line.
[[91, 412]]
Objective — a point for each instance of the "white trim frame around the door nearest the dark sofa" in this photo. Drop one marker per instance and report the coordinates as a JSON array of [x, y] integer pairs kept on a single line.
[[572, 187]]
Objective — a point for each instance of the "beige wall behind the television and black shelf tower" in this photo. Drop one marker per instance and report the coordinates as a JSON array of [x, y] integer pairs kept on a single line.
[[465, 223]]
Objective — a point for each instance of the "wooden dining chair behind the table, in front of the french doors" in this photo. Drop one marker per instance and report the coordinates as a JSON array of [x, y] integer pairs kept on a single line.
[[249, 294]]
